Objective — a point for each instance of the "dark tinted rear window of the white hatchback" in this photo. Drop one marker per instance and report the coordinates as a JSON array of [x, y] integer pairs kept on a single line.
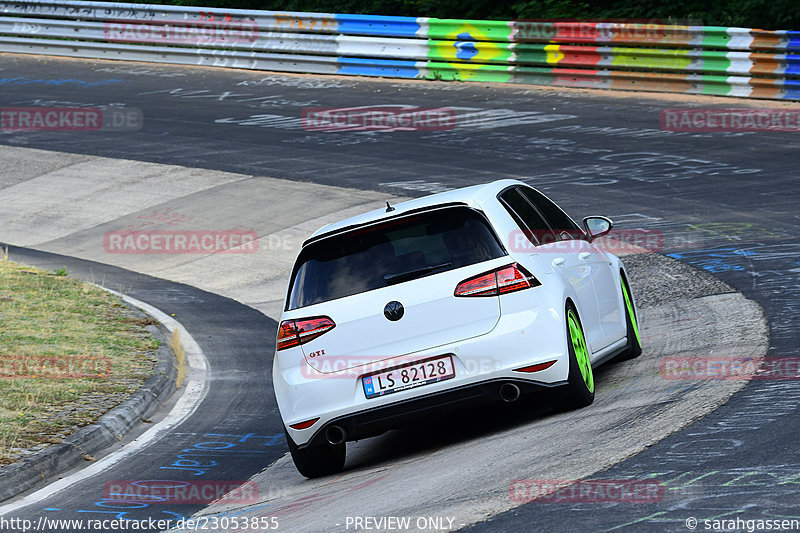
[[394, 252]]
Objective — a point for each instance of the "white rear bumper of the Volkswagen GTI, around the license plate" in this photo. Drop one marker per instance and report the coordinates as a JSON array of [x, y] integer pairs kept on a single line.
[[528, 333]]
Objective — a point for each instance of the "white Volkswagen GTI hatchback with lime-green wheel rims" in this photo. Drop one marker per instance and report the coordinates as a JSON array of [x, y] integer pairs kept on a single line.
[[469, 296]]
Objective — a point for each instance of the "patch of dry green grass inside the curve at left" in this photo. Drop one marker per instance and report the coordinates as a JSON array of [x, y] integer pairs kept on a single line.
[[68, 353]]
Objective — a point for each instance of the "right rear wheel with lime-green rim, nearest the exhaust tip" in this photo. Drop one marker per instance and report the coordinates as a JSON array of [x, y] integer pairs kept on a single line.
[[579, 390]]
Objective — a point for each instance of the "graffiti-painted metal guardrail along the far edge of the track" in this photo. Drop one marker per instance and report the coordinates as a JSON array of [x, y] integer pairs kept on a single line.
[[740, 62]]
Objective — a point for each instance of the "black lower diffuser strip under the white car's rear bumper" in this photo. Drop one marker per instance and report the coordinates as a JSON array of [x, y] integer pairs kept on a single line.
[[374, 421]]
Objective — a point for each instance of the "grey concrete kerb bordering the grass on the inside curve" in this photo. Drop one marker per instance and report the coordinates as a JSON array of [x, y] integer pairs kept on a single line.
[[37, 468]]
